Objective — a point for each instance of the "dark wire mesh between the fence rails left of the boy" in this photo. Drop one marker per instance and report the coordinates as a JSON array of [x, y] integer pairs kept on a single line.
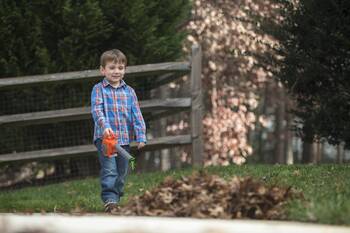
[[24, 136]]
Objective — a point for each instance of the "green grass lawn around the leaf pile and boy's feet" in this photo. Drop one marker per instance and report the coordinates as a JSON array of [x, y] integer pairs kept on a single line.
[[326, 190]]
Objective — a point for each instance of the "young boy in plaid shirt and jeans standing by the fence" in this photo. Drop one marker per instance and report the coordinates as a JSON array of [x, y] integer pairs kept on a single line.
[[115, 111]]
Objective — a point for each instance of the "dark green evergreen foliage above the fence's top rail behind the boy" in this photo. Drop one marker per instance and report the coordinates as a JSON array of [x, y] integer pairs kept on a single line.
[[64, 35]]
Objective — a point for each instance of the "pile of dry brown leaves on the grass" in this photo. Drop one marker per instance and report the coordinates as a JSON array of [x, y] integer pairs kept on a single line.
[[208, 196]]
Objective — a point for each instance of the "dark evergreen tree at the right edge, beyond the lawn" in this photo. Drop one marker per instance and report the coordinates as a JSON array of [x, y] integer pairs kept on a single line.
[[314, 43]]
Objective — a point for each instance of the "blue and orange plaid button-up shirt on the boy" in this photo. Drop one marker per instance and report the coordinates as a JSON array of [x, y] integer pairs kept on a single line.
[[118, 109]]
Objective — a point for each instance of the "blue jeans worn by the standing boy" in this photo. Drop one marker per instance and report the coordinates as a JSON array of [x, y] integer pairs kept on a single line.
[[113, 174]]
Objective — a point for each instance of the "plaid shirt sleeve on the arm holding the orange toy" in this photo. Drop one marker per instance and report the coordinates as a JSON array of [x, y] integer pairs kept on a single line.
[[97, 110]]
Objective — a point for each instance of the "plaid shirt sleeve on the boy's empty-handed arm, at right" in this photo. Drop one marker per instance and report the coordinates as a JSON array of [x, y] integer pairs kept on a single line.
[[137, 118]]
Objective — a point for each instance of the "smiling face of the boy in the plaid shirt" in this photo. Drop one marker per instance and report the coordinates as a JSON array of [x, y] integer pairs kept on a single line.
[[114, 72]]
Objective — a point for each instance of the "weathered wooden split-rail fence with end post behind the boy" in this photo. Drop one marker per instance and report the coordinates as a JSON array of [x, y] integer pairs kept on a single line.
[[164, 72]]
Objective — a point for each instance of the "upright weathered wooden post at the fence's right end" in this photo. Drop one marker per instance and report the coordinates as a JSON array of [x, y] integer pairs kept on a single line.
[[196, 106]]
